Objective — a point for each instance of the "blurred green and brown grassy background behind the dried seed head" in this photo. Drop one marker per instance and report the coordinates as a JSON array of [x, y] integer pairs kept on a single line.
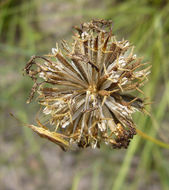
[[32, 27]]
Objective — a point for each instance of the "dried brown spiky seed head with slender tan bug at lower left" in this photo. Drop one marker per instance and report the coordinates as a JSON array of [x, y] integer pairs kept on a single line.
[[84, 89]]
